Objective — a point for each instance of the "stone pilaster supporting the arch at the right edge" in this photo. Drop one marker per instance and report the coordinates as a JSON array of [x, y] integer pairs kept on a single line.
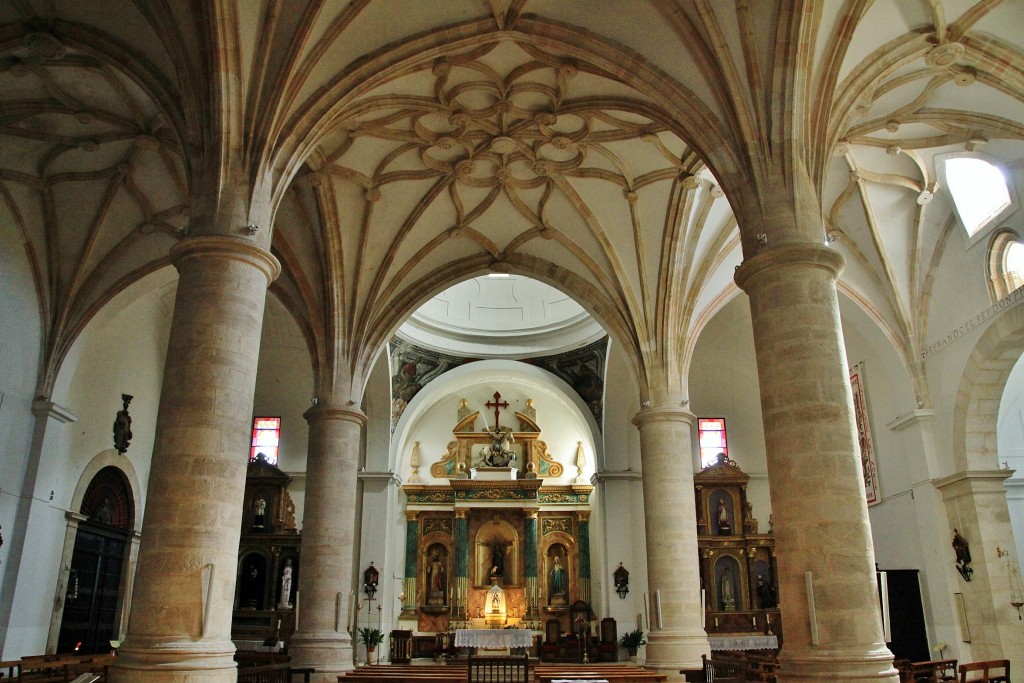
[[976, 506]]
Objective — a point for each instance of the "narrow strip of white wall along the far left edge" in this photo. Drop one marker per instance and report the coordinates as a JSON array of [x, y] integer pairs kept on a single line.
[[21, 335]]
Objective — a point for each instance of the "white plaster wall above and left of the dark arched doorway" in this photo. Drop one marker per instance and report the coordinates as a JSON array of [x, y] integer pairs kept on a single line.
[[121, 351]]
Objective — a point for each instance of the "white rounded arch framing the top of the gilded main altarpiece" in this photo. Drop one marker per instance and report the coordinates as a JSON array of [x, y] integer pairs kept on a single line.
[[484, 372]]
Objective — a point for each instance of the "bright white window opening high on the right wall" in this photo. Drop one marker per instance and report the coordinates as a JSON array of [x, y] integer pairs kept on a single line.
[[979, 191]]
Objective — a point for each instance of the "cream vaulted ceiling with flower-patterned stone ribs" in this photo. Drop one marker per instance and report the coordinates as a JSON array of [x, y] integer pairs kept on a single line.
[[408, 146]]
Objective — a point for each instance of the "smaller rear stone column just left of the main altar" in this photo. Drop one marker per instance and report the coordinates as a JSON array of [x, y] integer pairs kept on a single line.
[[322, 639]]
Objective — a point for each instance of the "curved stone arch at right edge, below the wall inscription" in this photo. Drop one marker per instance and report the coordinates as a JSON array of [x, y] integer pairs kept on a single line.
[[976, 408]]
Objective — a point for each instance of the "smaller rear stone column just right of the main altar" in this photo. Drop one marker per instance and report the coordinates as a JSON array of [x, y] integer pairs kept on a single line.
[[677, 638]]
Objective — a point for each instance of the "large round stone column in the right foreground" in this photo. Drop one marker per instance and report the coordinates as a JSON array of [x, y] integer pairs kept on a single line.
[[828, 588]]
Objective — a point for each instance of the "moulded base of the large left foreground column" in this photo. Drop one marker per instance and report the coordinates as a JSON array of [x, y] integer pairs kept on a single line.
[[192, 662]]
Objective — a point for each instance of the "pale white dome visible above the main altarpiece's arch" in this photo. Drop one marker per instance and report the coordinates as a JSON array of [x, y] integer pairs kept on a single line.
[[501, 317]]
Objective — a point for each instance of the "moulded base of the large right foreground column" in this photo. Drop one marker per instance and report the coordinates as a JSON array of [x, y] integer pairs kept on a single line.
[[867, 666]]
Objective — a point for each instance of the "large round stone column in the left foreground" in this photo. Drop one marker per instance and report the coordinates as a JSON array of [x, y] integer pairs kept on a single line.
[[181, 626]]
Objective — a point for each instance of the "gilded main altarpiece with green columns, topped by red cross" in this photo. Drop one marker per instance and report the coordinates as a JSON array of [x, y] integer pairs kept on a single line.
[[499, 544]]
